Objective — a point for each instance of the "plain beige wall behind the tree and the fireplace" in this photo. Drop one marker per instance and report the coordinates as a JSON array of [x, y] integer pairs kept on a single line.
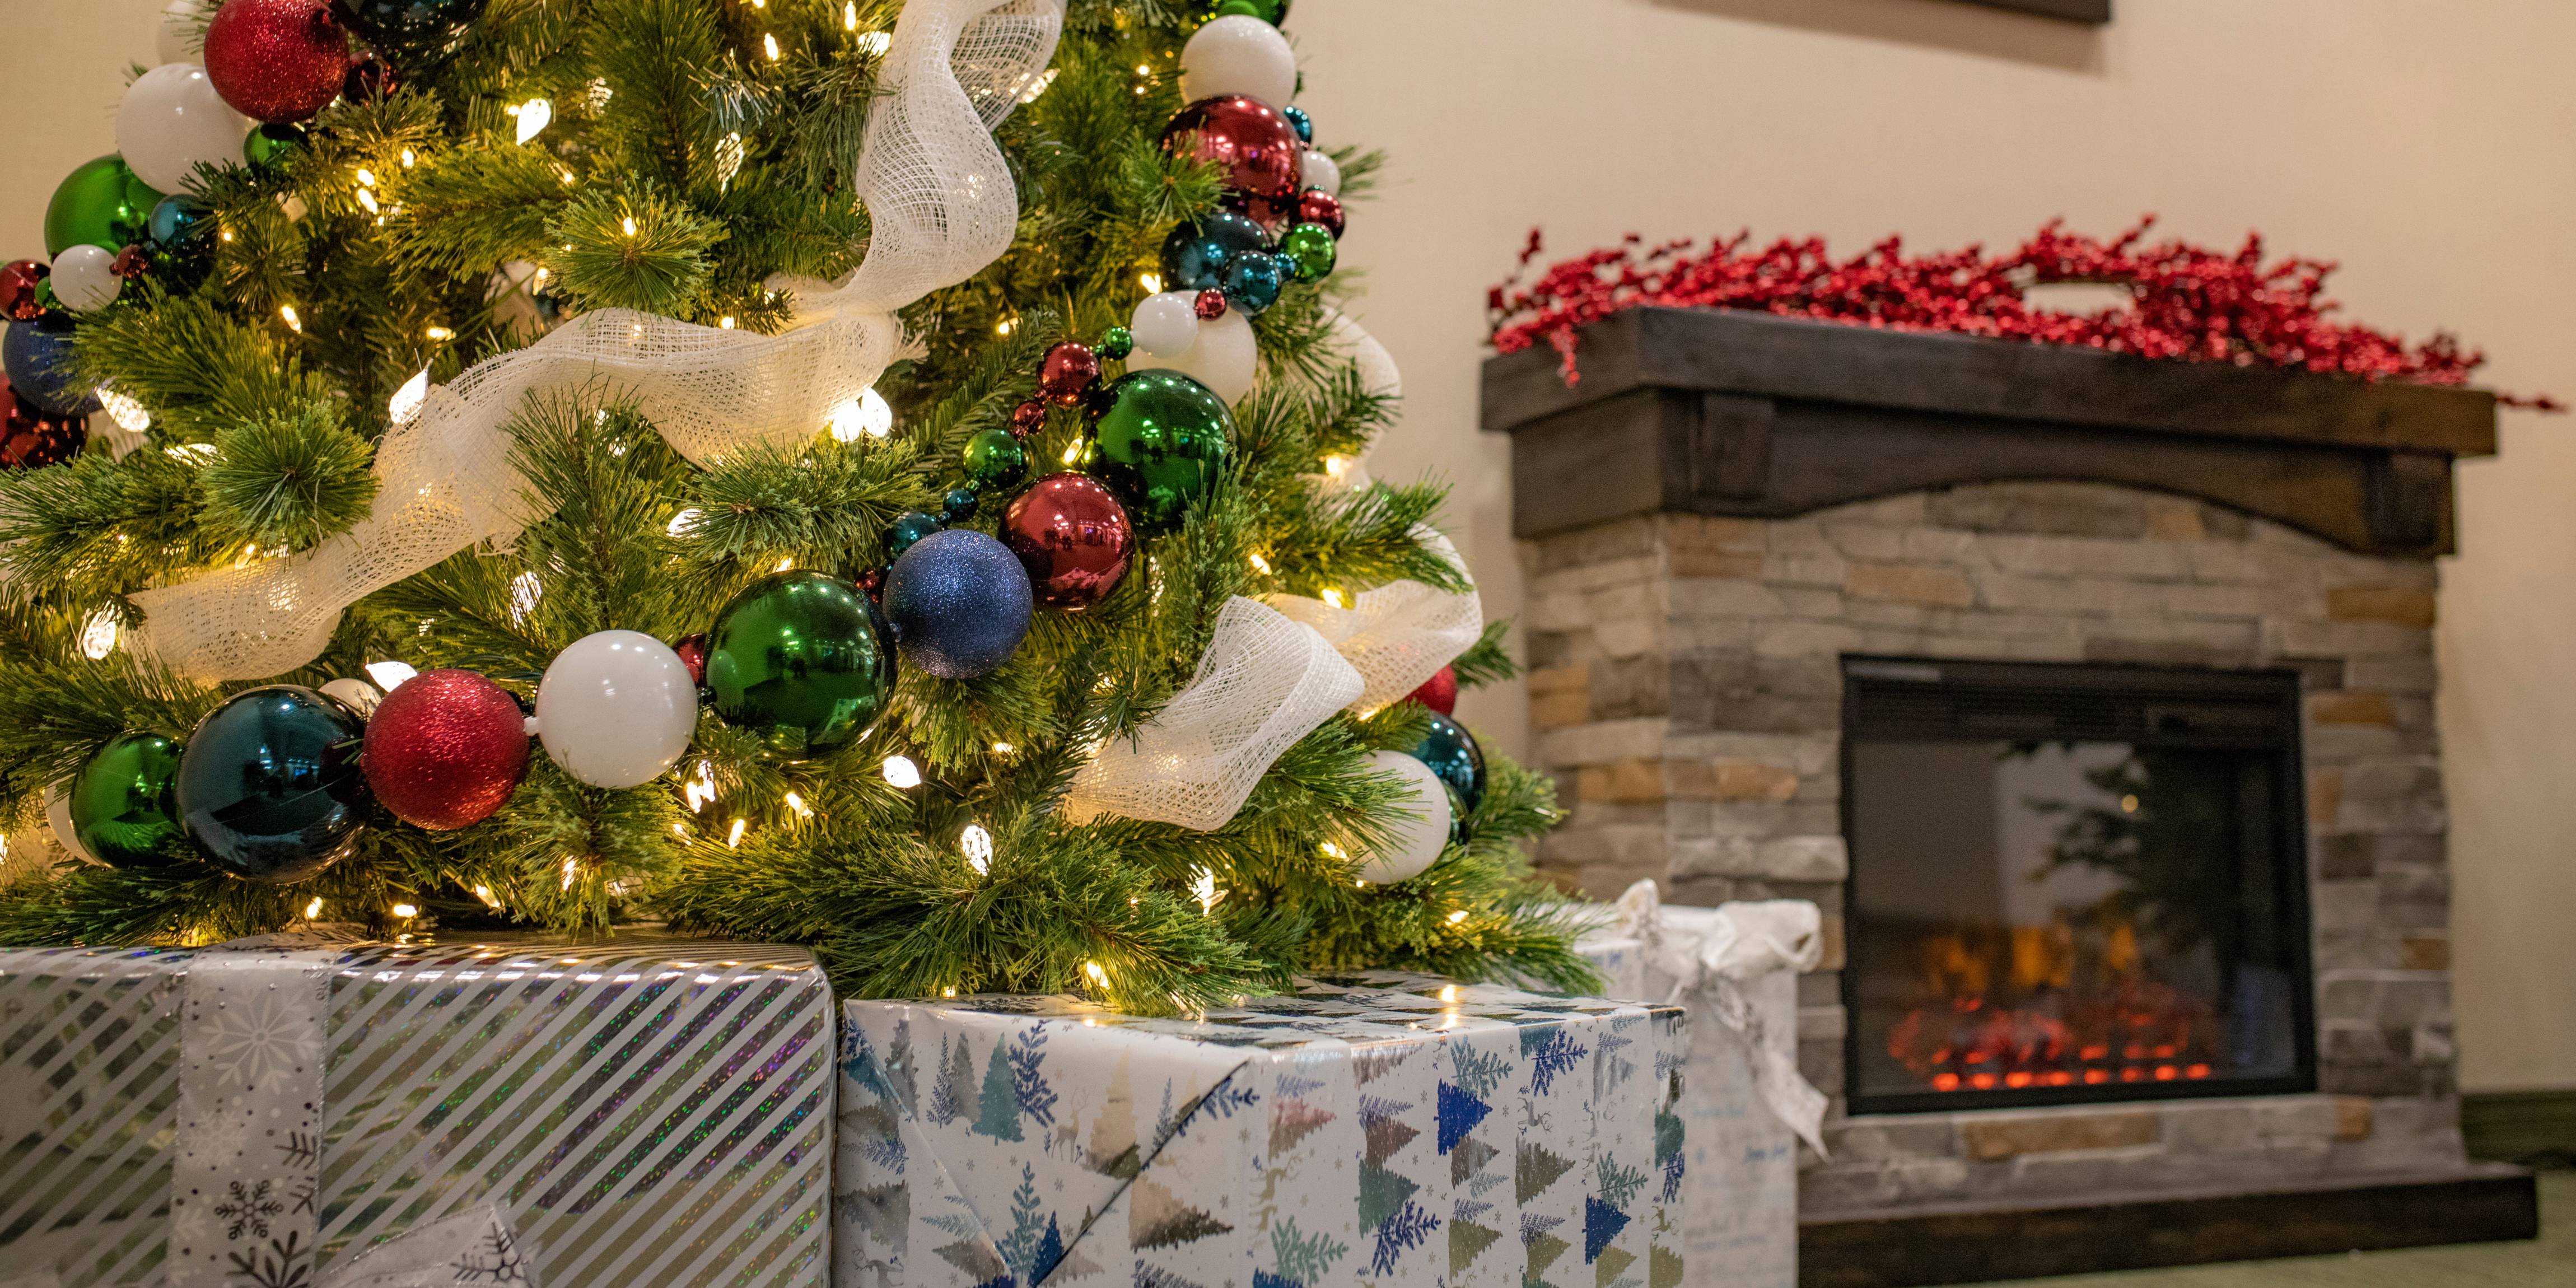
[[2420, 143]]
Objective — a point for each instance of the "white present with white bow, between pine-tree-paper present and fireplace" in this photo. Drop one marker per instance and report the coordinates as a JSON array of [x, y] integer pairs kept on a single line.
[[1745, 1112]]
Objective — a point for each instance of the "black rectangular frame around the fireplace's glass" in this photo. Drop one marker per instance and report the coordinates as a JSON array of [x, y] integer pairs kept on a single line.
[[2111, 705]]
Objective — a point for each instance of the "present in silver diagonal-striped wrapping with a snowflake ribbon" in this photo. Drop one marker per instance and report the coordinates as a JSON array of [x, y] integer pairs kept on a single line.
[[390, 1117]]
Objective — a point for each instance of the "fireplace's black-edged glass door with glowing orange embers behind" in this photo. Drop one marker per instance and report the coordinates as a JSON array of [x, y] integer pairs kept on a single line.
[[2072, 885]]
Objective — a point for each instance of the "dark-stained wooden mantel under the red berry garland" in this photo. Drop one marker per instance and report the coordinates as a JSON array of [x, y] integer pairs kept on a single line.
[[1756, 416]]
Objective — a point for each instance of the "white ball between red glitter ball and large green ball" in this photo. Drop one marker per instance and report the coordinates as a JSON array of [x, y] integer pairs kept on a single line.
[[617, 710]]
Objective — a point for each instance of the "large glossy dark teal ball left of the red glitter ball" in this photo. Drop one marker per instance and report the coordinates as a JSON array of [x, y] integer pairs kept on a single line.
[[272, 787]]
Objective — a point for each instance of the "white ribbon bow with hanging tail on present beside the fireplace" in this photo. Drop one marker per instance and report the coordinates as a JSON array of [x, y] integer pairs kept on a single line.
[[1719, 962]]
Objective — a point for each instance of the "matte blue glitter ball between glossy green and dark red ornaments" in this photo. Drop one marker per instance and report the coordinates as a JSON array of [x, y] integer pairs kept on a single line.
[[960, 604]]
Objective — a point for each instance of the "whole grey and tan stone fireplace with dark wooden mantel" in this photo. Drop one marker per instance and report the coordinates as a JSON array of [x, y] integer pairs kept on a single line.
[[1761, 553]]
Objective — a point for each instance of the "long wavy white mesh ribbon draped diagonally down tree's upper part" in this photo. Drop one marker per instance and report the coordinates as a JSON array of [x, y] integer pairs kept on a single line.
[[942, 207]]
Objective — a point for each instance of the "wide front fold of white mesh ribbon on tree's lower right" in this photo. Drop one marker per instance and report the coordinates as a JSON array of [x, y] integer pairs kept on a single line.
[[1261, 687]]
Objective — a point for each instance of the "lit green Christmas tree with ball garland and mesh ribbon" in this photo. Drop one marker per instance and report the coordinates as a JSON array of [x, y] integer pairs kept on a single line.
[[900, 452]]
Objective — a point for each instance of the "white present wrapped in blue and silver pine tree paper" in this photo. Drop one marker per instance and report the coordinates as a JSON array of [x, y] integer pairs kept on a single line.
[[1374, 1130]]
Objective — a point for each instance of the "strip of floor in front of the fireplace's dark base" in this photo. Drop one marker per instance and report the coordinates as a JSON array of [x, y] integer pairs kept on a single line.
[[2541, 1264]]
